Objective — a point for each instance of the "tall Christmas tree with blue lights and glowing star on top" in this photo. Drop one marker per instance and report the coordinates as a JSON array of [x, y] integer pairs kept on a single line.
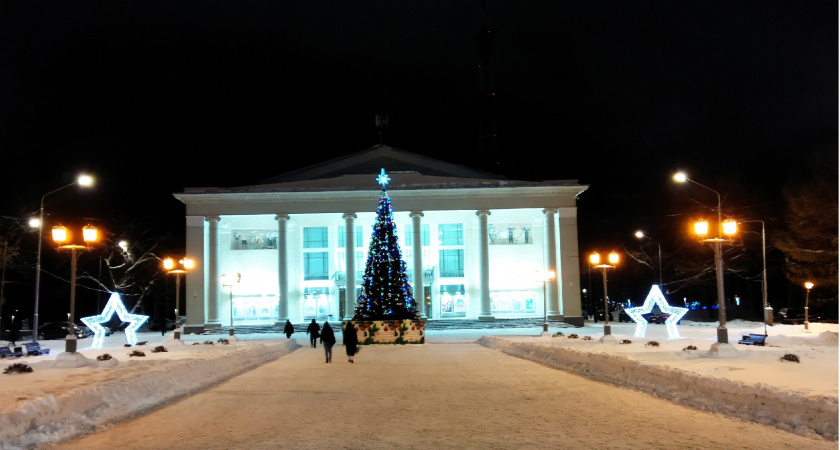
[[386, 294]]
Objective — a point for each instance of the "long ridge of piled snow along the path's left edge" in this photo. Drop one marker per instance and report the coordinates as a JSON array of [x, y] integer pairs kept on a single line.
[[53, 419]]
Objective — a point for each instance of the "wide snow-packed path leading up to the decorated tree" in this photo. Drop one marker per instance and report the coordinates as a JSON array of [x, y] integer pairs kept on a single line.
[[441, 395]]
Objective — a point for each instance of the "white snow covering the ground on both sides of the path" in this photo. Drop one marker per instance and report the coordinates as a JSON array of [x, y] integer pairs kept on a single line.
[[56, 403]]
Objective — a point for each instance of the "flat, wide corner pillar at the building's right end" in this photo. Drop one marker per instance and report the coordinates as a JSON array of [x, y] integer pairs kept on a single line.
[[569, 277]]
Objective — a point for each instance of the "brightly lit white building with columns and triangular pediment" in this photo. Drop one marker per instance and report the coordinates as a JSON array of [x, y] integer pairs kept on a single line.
[[483, 242]]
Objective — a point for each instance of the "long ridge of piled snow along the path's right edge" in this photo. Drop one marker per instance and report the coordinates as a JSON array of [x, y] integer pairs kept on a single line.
[[789, 411]]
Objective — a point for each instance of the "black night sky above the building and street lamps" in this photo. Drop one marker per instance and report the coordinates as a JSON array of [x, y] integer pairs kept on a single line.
[[156, 96]]
